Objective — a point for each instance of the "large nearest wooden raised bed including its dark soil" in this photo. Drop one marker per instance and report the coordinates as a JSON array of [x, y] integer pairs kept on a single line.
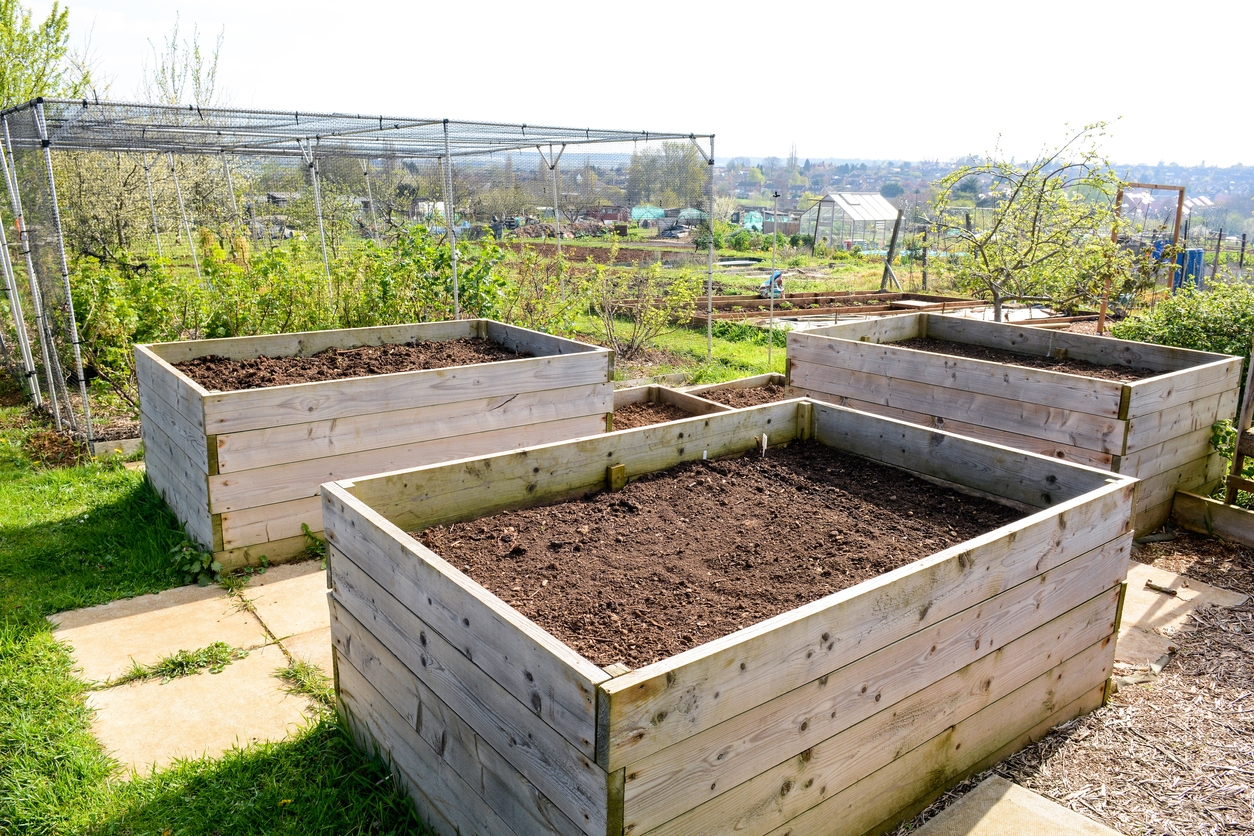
[[832, 685]]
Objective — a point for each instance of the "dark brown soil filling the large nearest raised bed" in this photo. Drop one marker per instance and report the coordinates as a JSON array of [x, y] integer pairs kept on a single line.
[[680, 558]]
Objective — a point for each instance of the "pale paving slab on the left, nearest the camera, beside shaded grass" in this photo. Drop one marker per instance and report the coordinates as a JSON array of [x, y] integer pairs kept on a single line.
[[154, 724]]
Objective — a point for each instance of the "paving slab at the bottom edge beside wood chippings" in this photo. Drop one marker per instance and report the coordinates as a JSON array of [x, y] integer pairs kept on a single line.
[[999, 808]]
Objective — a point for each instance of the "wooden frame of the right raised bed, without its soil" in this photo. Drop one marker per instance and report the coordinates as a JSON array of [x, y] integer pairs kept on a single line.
[[1157, 429]]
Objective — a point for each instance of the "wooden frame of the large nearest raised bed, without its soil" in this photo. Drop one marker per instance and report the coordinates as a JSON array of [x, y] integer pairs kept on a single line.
[[840, 718]]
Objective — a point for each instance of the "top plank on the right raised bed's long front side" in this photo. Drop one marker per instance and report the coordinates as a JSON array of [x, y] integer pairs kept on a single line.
[[1000, 380]]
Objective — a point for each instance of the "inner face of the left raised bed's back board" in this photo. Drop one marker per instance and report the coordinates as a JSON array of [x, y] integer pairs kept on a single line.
[[303, 344]]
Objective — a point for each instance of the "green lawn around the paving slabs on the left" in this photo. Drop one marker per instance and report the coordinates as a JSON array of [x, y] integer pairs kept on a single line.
[[86, 536]]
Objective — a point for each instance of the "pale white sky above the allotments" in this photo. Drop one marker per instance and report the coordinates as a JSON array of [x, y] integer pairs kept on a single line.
[[905, 81]]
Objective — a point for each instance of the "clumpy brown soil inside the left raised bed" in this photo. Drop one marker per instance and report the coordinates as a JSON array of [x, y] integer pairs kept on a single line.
[[223, 375]]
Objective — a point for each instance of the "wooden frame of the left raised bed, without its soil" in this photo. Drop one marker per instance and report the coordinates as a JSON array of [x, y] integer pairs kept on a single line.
[[241, 469]]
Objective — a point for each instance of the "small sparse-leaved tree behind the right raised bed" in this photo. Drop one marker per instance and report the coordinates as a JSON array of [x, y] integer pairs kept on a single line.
[[1049, 238]]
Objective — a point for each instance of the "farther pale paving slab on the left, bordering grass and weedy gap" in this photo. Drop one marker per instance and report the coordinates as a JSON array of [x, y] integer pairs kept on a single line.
[[105, 640]]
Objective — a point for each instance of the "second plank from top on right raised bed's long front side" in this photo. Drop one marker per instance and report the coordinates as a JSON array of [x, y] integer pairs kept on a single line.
[[1065, 427]]
